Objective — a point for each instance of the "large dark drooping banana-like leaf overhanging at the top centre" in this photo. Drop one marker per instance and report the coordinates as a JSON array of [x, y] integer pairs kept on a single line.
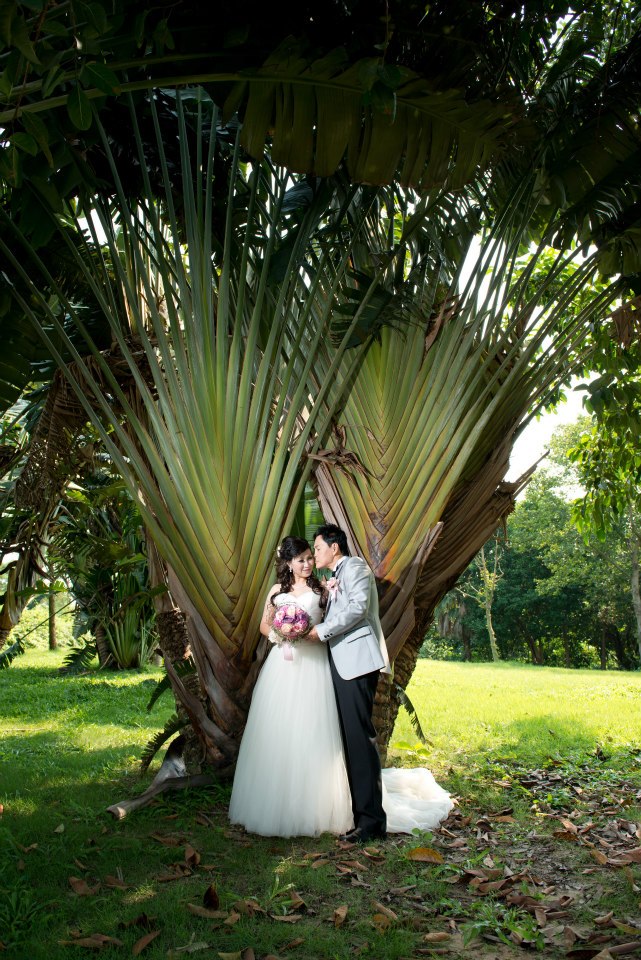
[[315, 113]]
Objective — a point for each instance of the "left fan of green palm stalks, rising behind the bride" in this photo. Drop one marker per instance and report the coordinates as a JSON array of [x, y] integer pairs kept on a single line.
[[220, 344]]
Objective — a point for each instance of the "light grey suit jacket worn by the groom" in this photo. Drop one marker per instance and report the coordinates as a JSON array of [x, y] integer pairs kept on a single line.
[[352, 627]]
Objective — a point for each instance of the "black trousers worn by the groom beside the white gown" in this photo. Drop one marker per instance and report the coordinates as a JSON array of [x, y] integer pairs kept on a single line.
[[355, 700]]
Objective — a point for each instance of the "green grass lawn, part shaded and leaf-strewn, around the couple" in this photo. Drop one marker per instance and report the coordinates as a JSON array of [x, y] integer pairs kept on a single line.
[[545, 763]]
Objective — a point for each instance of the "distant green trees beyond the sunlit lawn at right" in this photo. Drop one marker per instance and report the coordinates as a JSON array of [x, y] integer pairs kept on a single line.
[[564, 599]]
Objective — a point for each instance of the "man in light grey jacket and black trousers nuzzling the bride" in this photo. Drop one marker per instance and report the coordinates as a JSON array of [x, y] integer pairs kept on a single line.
[[358, 654]]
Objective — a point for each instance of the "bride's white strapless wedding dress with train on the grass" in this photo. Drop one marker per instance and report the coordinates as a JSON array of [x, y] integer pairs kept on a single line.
[[290, 777]]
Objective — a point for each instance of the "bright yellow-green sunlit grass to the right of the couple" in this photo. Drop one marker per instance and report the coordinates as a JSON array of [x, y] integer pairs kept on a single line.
[[480, 709]]
